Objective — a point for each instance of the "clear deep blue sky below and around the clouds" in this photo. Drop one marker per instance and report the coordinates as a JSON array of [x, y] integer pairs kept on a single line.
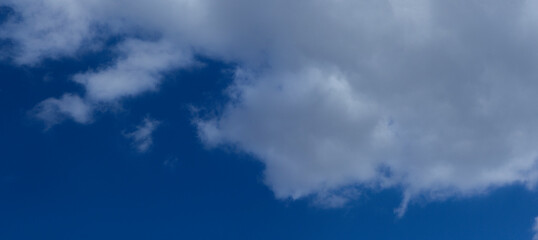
[[88, 182]]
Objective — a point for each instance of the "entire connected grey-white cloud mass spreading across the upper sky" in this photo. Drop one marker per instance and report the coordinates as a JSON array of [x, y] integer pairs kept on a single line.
[[436, 97]]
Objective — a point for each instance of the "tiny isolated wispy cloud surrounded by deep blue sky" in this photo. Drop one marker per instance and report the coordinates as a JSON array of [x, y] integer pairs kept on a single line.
[[142, 136]]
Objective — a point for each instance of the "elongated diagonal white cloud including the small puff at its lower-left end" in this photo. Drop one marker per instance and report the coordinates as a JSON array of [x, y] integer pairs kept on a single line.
[[138, 70]]
